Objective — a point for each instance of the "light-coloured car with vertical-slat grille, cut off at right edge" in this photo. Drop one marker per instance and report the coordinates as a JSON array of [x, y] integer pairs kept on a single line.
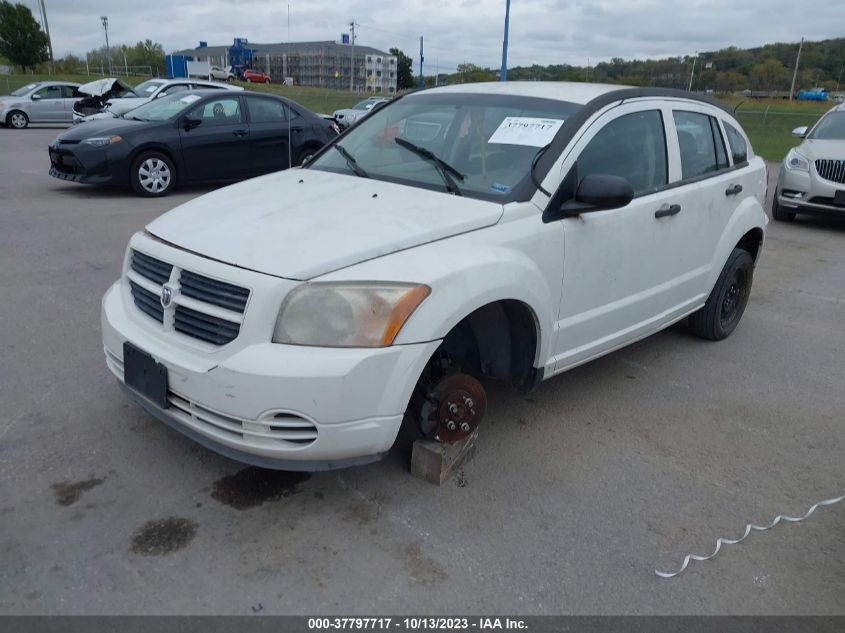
[[812, 176]]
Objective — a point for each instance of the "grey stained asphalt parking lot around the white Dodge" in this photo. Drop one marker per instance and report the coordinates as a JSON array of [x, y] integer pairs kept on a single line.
[[576, 494]]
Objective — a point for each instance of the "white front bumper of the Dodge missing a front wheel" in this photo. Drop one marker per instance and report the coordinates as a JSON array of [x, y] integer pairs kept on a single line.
[[275, 406]]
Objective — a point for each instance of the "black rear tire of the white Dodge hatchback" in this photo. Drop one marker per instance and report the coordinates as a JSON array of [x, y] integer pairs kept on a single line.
[[726, 303]]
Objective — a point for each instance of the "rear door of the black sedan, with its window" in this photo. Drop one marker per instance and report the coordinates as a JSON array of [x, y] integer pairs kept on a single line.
[[272, 125]]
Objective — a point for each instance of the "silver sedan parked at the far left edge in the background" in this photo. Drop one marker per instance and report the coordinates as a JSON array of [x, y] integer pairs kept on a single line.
[[39, 102]]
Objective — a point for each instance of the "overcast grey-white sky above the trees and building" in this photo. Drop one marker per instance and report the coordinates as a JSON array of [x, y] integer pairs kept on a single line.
[[456, 31]]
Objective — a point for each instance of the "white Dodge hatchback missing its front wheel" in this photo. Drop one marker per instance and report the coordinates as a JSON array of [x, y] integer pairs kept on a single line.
[[506, 230]]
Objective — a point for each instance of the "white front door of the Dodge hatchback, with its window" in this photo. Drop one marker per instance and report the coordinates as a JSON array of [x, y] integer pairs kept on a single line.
[[616, 274]]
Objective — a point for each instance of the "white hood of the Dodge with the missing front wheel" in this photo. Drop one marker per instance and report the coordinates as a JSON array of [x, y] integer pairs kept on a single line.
[[303, 223]]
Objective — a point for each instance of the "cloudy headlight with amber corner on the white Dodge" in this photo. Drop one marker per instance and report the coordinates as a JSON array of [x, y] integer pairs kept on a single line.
[[347, 314]]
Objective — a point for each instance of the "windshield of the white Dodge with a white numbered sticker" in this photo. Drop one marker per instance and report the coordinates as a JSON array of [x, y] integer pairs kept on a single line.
[[490, 140]]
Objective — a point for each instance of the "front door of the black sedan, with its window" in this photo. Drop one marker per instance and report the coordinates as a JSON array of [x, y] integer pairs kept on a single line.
[[217, 147]]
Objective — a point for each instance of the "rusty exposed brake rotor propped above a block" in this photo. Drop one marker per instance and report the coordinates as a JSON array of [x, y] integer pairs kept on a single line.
[[455, 408]]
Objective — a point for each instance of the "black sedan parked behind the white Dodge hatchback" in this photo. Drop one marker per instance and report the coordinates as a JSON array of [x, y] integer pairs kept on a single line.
[[192, 136]]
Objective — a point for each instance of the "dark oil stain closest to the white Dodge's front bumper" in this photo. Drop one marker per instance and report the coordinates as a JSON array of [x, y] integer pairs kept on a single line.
[[253, 486]]
